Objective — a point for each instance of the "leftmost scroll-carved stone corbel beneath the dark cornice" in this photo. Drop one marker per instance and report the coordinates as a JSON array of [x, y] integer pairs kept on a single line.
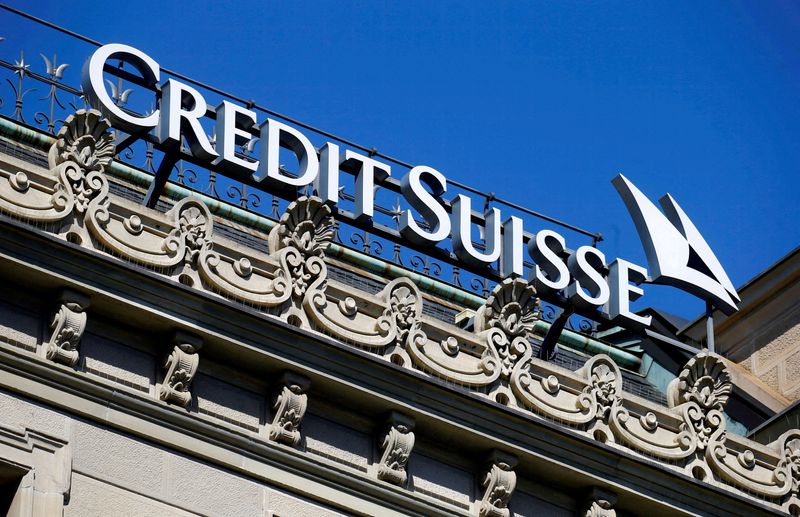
[[68, 325]]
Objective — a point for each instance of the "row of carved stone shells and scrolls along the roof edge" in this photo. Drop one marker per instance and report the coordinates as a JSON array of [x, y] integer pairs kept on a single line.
[[288, 278]]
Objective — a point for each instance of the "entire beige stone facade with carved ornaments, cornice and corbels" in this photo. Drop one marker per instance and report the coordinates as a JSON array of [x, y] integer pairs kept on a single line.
[[149, 360]]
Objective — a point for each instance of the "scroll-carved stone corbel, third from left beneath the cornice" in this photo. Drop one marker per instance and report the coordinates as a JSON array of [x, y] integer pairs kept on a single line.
[[289, 406]]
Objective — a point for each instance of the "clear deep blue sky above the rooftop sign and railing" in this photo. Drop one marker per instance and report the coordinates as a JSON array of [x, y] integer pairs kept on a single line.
[[540, 102]]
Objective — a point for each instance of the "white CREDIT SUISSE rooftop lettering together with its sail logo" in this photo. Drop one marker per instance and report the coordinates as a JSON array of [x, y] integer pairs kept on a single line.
[[676, 252]]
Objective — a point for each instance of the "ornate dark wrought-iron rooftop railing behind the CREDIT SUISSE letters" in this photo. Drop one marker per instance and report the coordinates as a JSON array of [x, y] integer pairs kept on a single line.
[[379, 237]]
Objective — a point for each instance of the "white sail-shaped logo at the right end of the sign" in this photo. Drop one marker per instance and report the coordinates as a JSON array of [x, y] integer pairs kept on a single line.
[[676, 253]]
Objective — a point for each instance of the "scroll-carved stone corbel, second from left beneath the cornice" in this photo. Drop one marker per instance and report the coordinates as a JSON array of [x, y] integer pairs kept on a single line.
[[181, 367]]
